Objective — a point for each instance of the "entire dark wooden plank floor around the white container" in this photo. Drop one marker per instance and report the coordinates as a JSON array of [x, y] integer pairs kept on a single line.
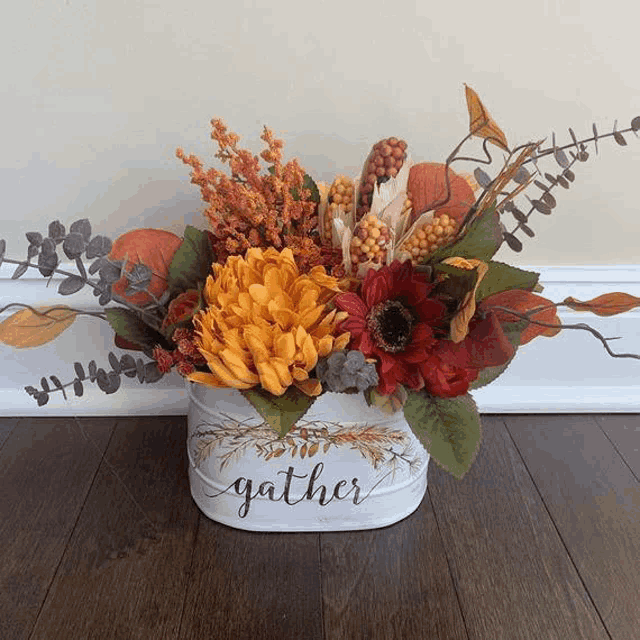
[[99, 538]]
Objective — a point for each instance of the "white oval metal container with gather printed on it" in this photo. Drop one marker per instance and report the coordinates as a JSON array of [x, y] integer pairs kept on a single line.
[[344, 465]]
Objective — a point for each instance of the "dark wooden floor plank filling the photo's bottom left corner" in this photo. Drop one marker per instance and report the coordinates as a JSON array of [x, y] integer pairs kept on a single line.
[[47, 466]]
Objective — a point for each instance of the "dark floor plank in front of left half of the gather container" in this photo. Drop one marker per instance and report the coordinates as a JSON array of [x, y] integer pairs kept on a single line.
[[253, 585]]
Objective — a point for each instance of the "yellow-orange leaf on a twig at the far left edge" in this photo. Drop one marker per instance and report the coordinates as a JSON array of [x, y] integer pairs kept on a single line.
[[33, 328]]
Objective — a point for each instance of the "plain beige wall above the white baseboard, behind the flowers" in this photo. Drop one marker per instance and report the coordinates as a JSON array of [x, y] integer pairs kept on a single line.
[[96, 95]]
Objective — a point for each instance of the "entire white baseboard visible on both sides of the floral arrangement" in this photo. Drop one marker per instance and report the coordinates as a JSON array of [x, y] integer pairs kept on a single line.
[[570, 373]]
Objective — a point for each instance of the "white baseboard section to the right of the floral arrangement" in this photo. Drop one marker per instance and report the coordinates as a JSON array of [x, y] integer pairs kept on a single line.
[[571, 372]]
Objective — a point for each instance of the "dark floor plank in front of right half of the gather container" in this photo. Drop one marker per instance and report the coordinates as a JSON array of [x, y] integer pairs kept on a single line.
[[391, 583]]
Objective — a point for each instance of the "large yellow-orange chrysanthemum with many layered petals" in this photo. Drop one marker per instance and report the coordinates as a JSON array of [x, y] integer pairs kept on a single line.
[[266, 324]]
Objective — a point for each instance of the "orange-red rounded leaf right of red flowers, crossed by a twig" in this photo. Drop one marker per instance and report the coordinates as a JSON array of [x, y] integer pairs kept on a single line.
[[523, 302]]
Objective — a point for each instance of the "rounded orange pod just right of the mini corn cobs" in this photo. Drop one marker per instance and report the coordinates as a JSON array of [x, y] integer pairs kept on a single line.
[[427, 187]]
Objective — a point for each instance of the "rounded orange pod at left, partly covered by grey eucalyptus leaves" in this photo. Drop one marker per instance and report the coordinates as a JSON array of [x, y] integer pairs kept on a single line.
[[151, 247]]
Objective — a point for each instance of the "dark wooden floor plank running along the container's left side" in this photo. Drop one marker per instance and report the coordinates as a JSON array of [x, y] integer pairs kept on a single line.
[[126, 569]]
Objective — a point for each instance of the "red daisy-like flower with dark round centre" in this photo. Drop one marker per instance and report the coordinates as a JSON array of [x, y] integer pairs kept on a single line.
[[392, 320]]
